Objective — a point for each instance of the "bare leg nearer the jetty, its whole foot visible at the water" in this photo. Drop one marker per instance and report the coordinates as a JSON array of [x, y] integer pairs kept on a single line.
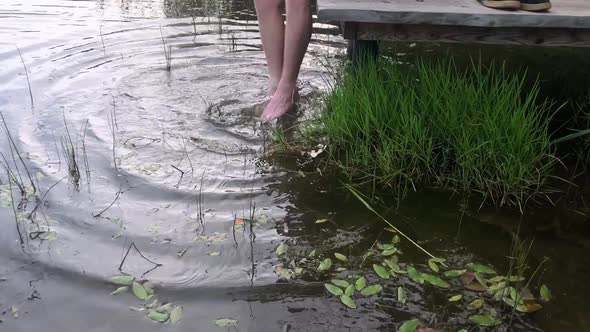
[[297, 37]]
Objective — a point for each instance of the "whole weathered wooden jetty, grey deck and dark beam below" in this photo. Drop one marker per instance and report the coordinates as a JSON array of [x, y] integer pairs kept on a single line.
[[457, 21]]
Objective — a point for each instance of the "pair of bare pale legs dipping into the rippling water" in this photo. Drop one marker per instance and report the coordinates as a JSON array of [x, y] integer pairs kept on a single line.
[[295, 40]]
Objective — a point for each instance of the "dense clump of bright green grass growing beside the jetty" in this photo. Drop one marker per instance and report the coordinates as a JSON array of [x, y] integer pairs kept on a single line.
[[477, 130]]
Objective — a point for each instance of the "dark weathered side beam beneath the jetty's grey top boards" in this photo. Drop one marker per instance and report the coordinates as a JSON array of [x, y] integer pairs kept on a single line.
[[479, 35]]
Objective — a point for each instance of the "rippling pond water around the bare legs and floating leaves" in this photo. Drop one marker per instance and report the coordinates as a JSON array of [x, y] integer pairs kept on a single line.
[[167, 160]]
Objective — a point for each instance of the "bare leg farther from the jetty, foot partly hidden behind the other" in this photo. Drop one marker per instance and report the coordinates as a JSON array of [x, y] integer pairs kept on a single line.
[[272, 33]]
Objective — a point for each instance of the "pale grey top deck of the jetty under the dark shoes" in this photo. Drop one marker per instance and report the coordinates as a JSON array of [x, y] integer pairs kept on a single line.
[[564, 14]]
